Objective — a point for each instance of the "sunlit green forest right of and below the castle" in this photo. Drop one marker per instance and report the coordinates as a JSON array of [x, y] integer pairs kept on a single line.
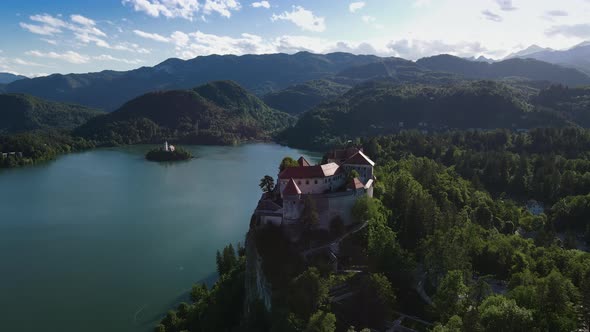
[[449, 246]]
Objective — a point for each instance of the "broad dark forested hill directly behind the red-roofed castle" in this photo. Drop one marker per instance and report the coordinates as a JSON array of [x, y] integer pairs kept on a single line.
[[384, 107]]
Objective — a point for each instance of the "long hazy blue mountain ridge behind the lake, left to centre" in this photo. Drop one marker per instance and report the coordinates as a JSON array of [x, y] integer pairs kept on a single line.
[[262, 74]]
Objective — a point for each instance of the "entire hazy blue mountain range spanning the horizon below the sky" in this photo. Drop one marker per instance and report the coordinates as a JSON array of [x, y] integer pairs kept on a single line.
[[264, 74]]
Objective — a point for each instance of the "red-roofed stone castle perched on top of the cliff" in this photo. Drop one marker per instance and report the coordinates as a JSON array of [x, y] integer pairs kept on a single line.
[[332, 186]]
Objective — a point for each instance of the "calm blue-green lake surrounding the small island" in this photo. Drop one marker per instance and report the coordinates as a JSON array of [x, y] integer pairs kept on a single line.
[[106, 241]]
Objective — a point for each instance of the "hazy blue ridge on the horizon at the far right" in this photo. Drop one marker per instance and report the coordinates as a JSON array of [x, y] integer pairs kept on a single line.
[[525, 68]]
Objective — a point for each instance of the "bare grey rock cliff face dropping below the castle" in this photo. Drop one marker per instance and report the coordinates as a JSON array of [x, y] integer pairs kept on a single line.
[[258, 288]]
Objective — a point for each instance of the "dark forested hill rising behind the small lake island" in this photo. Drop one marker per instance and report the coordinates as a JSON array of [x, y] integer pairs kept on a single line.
[[219, 112]]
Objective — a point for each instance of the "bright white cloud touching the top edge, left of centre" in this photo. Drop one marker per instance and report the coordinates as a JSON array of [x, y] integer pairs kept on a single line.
[[186, 9]]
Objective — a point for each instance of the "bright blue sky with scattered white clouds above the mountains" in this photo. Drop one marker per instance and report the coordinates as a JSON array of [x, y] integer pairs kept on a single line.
[[71, 36]]
